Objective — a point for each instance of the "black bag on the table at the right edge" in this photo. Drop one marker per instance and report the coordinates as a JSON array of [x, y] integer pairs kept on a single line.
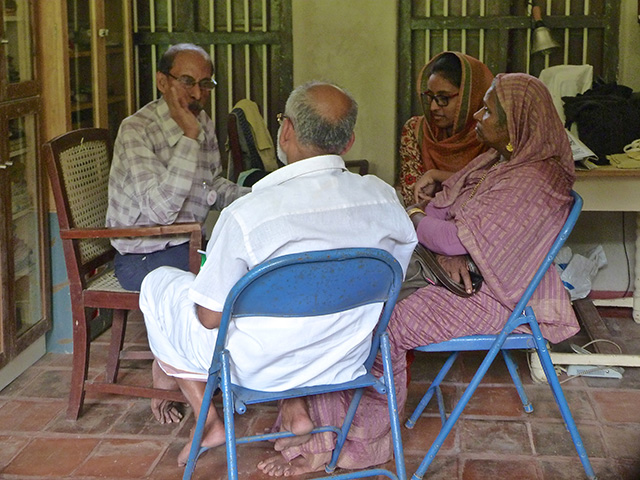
[[607, 116]]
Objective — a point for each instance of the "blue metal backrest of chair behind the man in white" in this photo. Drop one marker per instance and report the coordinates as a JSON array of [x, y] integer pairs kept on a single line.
[[316, 283]]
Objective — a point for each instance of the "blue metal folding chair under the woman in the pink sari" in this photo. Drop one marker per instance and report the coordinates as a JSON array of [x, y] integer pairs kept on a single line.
[[503, 342]]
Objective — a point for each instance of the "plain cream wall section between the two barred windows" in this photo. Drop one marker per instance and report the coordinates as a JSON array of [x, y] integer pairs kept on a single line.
[[353, 43]]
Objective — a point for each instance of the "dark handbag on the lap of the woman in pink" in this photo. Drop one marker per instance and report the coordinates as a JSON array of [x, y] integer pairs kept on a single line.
[[424, 270]]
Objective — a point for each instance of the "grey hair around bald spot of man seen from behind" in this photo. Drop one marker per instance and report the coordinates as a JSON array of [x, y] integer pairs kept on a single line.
[[330, 136]]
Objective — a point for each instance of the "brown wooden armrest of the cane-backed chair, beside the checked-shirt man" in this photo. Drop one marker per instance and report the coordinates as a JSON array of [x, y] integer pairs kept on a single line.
[[192, 228]]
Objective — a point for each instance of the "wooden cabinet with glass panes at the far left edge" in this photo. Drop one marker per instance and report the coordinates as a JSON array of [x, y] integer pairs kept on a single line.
[[24, 302]]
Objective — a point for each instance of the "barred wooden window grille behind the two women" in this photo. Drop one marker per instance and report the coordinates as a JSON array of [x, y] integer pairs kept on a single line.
[[498, 32]]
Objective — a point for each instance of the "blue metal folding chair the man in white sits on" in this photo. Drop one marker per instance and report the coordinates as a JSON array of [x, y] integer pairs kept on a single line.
[[308, 284]]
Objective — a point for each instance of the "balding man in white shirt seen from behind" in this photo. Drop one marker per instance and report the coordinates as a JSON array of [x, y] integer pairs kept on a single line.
[[313, 203]]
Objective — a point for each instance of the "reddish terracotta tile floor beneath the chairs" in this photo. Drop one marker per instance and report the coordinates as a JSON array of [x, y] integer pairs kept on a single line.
[[117, 438]]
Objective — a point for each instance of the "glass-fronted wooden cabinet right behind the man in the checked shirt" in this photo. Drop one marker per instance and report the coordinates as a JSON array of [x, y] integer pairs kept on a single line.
[[99, 53]]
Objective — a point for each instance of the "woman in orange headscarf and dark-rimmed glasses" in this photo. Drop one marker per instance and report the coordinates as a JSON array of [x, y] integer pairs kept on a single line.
[[443, 140]]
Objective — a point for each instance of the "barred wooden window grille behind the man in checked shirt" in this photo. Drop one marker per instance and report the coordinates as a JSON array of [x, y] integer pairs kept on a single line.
[[248, 40]]
